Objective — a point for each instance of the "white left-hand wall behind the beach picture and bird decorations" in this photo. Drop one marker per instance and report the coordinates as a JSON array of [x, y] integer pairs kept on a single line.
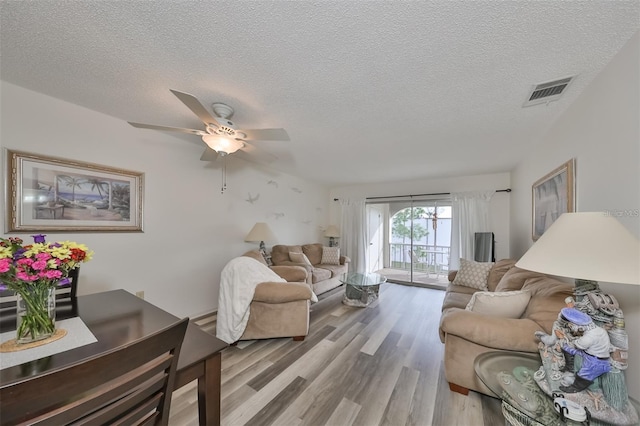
[[190, 230]]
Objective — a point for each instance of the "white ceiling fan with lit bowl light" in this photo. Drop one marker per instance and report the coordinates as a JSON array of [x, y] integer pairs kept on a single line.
[[220, 133]]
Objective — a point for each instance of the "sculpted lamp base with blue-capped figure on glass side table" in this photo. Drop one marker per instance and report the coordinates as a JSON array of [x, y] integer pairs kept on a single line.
[[584, 357]]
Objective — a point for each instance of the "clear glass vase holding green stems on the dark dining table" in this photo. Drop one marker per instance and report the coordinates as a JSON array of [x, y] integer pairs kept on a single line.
[[35, 313]]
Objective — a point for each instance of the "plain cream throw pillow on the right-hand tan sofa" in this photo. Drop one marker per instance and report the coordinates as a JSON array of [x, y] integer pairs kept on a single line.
[[505, 304]]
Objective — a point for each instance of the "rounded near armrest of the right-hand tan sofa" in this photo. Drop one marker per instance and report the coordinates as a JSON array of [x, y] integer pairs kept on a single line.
[[491, 331]]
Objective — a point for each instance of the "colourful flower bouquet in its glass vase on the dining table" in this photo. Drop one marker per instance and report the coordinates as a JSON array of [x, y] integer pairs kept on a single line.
[[34, 271]]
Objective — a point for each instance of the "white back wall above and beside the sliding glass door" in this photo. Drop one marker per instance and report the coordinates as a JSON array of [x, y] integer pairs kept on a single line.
[[499, 203]]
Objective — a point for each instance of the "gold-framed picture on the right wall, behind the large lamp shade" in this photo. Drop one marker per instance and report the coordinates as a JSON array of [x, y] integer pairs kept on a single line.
[[553, 194]]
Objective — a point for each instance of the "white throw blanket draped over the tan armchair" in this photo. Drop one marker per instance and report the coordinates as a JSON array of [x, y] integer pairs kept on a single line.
[[238, 282]]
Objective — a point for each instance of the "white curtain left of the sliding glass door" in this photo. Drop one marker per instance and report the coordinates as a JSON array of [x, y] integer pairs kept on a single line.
[[353, 225]]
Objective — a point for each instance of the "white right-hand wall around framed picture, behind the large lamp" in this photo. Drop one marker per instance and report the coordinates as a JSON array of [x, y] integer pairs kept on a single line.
[[601, 130]]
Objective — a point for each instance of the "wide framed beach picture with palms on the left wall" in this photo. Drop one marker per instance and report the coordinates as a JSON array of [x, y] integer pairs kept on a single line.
[[55, 194]]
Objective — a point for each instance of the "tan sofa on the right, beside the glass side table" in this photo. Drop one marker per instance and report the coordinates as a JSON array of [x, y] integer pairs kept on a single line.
[[467, 334]]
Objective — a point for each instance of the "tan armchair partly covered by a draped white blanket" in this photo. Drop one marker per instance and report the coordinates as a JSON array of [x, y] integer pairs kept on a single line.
[[279, 309]]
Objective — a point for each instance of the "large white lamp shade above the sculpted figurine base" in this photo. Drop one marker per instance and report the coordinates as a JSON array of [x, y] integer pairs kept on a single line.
[[590, 246]]
